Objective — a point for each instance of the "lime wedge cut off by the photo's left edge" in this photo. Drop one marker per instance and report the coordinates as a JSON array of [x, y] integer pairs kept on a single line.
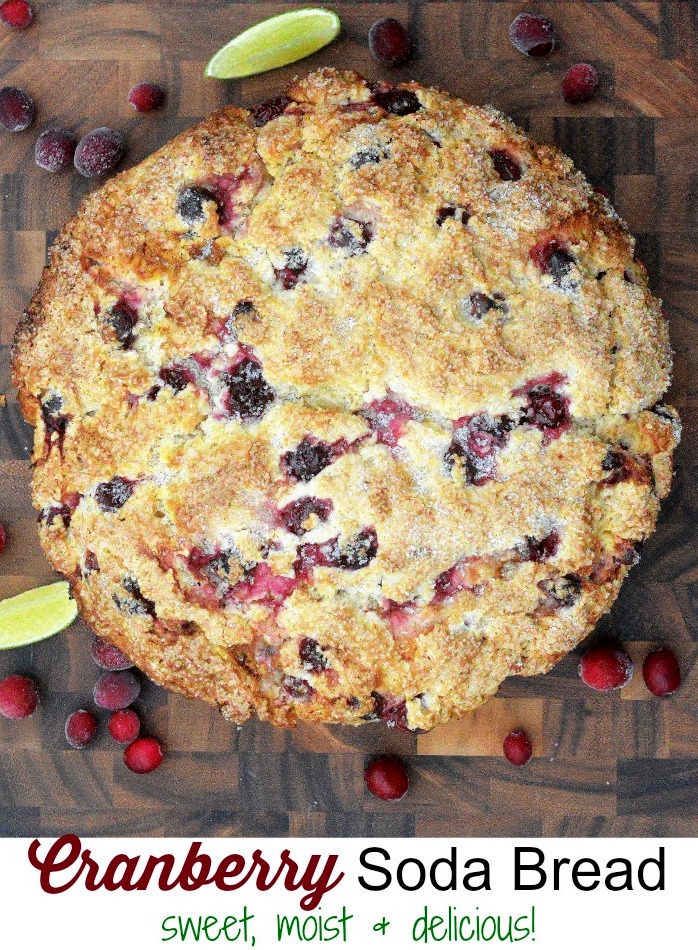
[[35, 615]]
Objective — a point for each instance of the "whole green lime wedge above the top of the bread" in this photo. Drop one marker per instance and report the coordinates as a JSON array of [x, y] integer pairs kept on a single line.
[[275, 42]]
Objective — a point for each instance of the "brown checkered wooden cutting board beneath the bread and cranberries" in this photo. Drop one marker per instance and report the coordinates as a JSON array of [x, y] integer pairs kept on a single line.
[[625, 764]]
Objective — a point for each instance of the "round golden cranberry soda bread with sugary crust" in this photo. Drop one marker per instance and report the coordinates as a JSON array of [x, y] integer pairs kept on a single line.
[[347, 409]]
